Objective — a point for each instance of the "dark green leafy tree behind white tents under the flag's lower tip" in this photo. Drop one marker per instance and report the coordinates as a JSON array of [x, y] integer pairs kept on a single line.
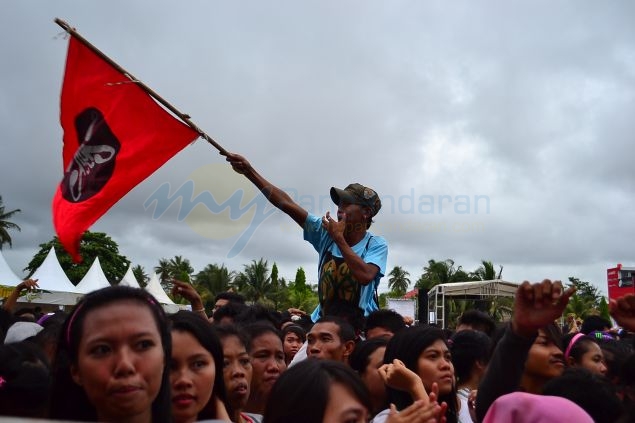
[[93, 244]]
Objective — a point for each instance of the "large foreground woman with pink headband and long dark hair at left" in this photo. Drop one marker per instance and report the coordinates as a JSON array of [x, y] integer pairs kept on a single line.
[[112, 358]]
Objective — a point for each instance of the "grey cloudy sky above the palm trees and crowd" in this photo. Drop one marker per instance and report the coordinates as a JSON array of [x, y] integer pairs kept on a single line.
[[497, 130]]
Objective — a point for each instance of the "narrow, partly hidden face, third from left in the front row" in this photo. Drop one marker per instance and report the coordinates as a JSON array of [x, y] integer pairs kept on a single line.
[[237, 372]]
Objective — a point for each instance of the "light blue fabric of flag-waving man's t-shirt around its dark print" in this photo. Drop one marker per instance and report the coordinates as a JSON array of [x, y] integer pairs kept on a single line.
[[372, 249]]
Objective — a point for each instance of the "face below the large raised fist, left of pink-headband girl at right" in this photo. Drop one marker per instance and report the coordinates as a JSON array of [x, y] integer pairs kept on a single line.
[[544, 360]]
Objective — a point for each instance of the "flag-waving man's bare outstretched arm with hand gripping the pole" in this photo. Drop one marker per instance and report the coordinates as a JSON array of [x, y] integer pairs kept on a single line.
[[275, 195]]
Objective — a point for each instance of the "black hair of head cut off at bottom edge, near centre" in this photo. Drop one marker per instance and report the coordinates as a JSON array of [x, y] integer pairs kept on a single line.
[[301, 394]]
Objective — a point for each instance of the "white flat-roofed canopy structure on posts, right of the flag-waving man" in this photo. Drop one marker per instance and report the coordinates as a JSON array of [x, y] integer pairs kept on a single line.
[[466, 291]]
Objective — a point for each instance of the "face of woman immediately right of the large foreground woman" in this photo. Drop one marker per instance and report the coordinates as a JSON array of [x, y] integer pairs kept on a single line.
[[192, 373]]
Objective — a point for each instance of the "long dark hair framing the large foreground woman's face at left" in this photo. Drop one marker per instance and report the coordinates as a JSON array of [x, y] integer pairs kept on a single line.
[[68, 400]]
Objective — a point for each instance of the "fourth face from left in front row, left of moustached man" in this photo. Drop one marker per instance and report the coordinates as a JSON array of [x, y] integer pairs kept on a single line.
[[267, 359]]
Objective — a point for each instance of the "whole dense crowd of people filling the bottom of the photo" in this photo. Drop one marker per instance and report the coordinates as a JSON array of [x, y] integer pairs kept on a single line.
[[116, 356]]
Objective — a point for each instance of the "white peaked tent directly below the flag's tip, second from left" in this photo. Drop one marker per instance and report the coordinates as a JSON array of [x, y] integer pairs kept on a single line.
[[55, 286]]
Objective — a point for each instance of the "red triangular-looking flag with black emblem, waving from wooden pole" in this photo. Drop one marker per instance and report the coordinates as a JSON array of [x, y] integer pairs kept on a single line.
[[115, 136]]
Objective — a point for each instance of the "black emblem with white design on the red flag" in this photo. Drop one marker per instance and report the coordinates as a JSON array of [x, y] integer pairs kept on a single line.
[[94, 162]]
